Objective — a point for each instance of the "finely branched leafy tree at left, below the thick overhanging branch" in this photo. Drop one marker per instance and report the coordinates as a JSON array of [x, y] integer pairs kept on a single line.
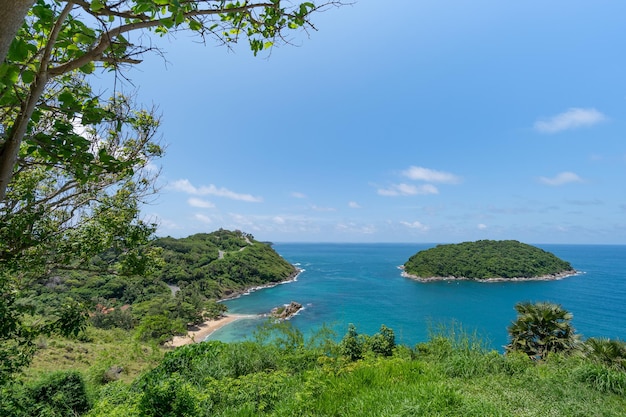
[[54, 220]]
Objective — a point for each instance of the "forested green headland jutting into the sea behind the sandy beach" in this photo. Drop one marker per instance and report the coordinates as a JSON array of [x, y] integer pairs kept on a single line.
[[199, 270]]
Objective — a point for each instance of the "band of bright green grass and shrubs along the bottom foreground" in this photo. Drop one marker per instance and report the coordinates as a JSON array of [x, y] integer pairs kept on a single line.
[[282, 374]]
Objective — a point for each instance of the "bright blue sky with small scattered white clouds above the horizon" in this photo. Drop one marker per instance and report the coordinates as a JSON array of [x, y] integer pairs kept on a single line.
[[408, 121]]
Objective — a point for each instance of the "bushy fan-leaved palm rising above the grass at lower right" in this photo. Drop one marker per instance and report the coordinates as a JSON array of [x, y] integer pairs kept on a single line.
[[541, 328]]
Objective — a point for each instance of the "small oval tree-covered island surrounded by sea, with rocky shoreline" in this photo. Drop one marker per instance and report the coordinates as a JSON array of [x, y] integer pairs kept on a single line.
[[486, 260]]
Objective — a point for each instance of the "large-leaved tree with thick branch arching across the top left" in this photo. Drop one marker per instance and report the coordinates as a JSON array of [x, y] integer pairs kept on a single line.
[[63, 37]]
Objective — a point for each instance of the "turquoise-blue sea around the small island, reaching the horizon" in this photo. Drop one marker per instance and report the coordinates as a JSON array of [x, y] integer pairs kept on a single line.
[[361, 284]]
